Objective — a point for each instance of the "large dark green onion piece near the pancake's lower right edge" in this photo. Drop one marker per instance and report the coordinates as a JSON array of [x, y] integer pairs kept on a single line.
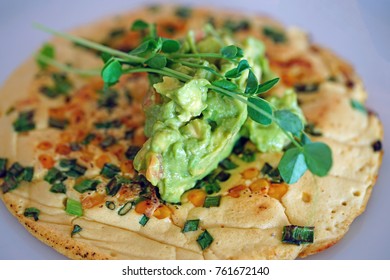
[[297, 235]]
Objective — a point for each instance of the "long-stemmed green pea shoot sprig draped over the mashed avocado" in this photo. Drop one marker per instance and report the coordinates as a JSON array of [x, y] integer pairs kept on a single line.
[[157, 55]]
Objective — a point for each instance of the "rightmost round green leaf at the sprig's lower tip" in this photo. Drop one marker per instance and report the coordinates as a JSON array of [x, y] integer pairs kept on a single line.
[[318, 157]]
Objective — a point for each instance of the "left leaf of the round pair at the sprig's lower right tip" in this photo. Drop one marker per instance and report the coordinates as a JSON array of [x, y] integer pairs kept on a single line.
[[292, 166]]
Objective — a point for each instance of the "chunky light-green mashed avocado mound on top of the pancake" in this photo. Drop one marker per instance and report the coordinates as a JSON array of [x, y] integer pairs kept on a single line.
[[191, 128]]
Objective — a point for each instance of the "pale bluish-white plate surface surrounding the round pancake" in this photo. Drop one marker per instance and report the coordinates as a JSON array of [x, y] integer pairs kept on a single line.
[[356, 30]]
